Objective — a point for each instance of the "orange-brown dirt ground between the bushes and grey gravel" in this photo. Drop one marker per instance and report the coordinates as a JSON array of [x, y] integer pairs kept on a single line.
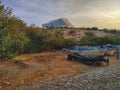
[[30, 69]]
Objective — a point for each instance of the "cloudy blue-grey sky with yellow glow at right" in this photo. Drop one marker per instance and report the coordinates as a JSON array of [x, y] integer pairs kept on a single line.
[[88, 13]]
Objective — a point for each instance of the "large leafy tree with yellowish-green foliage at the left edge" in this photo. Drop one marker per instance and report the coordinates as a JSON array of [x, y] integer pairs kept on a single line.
[[12, 39]]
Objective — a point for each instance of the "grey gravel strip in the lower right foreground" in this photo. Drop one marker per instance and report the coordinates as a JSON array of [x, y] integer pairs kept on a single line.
[[106, 78]]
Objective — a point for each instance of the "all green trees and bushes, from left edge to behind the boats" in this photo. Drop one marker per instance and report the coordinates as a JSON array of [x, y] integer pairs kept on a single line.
[[16, 37]]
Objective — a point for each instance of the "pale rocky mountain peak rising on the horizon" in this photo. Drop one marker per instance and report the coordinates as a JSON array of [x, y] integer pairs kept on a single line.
[[62, 22]]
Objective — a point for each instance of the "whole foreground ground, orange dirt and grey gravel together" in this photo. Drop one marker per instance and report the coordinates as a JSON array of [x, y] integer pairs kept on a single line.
[[52, 71]]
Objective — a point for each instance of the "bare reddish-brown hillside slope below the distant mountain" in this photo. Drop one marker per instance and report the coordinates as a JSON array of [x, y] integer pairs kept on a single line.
[[78, 33]]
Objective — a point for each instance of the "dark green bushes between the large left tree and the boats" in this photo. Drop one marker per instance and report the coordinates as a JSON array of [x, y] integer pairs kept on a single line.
[[42, 40]]
